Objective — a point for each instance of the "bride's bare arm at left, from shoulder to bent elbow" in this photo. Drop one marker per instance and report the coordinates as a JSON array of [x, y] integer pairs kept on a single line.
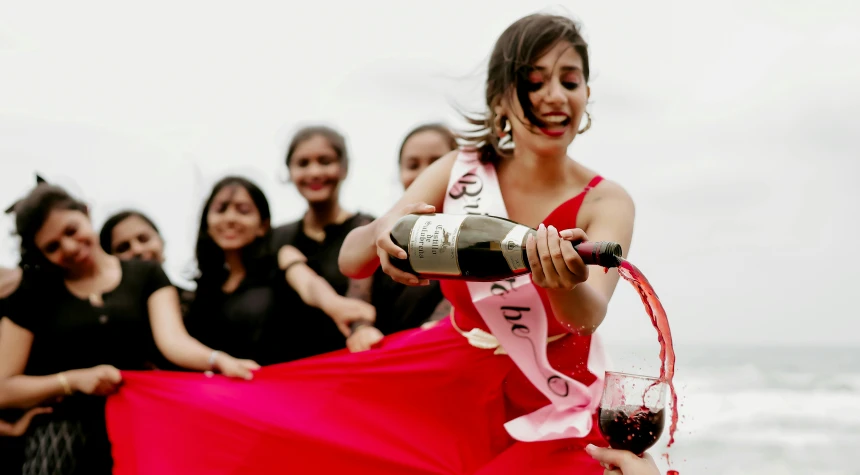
[[358, 257]]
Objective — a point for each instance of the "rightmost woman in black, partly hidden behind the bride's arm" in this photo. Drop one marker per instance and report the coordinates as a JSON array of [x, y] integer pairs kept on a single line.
[[400, 307]]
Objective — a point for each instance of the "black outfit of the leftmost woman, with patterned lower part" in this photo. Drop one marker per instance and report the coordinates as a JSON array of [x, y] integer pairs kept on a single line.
[[70, 333]]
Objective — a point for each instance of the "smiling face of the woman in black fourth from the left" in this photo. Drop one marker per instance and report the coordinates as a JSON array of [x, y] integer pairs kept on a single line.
[[316, 170]]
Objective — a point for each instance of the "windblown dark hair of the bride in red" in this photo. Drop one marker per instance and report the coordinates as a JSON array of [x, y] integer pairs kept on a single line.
[[510, 64]]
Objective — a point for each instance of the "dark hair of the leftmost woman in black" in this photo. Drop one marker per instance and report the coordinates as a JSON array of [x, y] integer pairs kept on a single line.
[[31, 213]]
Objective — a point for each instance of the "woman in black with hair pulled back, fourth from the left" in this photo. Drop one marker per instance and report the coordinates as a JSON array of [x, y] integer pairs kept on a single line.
[[317, 160]]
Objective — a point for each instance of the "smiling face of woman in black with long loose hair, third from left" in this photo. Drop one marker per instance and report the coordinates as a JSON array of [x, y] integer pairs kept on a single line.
[[233, 219]]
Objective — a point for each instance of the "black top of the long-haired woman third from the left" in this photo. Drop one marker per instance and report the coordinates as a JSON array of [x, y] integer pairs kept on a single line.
[[253, 321]]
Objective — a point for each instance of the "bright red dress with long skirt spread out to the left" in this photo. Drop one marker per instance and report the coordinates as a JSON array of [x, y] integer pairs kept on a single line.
[[421, 402]]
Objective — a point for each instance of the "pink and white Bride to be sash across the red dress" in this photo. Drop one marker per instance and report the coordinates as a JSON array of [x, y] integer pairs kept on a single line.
[[514, 313]]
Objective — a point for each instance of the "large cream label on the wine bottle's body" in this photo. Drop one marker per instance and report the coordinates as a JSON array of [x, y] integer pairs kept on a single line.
[[433, 244]]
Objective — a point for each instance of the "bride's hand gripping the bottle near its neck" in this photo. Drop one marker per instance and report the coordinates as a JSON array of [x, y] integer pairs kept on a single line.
[[553, 260]]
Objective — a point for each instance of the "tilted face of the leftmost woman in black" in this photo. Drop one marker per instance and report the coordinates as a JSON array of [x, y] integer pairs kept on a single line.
[[67, 240]]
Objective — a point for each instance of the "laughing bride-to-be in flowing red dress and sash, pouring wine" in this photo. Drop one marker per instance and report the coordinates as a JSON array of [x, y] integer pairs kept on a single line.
[[467, 396]]
